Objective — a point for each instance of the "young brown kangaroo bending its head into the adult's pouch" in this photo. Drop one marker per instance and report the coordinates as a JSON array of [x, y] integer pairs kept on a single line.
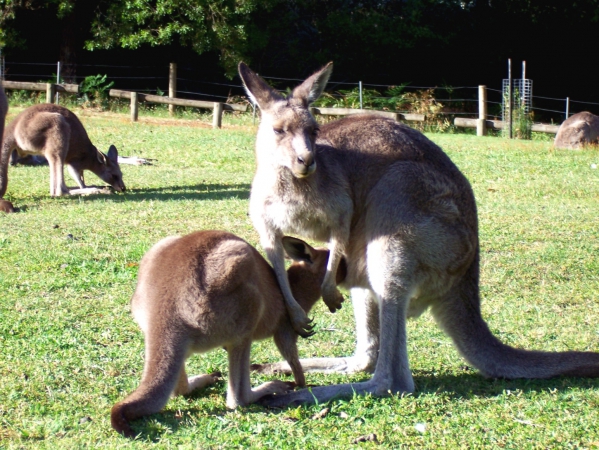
[[212, 289]]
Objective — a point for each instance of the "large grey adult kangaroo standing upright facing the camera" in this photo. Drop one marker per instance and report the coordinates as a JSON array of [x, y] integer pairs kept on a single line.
[[403, 215]]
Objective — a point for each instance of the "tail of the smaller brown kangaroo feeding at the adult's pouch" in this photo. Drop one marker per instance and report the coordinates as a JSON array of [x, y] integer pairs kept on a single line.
[[162, 370]]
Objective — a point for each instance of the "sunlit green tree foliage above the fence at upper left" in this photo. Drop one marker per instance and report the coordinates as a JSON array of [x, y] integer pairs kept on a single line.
[[204, 25]]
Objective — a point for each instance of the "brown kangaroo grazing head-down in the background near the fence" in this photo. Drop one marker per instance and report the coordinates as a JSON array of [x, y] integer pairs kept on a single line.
[[57, 133]]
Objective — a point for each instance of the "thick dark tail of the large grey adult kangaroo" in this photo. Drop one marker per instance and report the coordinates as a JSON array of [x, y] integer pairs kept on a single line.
[[460, 317]]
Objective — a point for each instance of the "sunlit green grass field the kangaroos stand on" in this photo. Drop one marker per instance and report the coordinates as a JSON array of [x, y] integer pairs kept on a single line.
[[70, 348]]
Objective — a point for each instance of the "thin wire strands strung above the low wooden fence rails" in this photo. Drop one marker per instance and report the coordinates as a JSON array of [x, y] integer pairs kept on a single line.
[[207, 83]]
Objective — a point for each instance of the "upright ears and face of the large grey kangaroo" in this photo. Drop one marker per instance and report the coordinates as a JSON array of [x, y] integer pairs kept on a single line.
[[287, 132]]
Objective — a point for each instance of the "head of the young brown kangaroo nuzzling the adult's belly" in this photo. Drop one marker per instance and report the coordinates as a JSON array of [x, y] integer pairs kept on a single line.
[[307, 271]]
